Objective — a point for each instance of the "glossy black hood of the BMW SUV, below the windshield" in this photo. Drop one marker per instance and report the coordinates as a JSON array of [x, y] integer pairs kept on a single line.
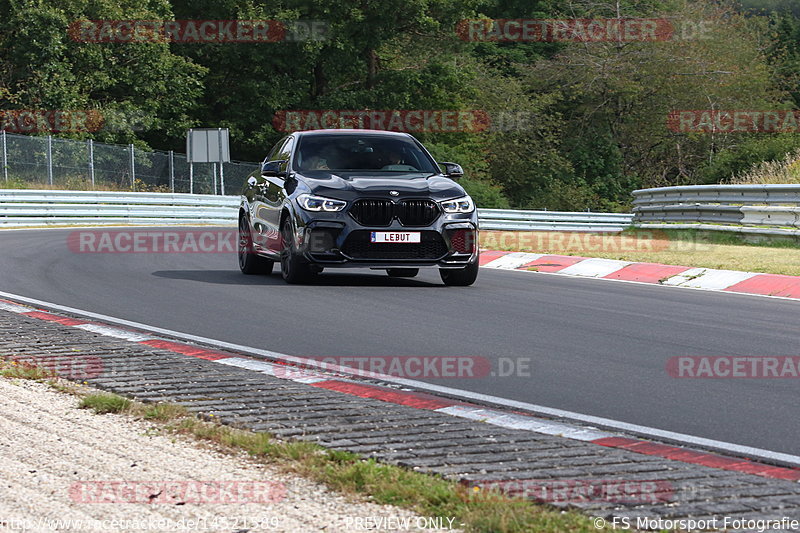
[[360, 184]]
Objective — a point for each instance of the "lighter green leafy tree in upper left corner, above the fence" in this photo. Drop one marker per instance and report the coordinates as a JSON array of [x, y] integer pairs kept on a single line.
[[44, 68]]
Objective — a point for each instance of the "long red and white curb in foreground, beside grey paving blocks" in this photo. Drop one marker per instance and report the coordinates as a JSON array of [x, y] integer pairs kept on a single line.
[[423, 400]]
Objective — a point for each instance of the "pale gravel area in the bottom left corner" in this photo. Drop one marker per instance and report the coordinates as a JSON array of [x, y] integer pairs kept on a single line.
[[52, 456]]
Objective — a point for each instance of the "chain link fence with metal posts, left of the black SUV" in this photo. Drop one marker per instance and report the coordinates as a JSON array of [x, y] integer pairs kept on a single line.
[[49, 162]]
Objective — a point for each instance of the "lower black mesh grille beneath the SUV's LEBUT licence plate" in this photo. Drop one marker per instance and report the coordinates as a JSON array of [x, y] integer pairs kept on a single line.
[[358, 246]]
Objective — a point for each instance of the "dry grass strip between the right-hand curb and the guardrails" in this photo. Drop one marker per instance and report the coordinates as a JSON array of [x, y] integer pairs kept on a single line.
[[690, 248]]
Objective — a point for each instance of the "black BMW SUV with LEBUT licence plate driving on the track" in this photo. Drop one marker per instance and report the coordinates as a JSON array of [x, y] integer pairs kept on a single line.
[[357, 198]]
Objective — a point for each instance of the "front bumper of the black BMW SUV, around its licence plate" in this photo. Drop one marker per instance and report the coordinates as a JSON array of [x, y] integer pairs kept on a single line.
[[333, 240]]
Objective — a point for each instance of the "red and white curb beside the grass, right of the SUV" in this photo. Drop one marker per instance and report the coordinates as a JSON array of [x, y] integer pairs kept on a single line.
[[672, 275]]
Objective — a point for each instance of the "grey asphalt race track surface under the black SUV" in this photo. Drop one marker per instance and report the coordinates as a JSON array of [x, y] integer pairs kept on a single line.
[[596, 347]]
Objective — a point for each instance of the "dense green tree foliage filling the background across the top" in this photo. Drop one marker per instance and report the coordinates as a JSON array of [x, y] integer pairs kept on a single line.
[[576, 125]]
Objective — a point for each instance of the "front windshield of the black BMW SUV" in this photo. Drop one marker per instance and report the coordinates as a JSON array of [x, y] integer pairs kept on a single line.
[[369, 152]]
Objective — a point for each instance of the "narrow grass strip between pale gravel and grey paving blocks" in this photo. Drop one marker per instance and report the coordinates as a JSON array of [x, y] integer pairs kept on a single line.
[[474, 510]]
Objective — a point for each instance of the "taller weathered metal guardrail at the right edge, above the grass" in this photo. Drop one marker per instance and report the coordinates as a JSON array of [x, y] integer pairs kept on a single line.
[[739, 208]]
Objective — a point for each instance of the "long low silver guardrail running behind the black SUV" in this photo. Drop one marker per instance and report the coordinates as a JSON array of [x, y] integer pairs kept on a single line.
[[28, 207]]
